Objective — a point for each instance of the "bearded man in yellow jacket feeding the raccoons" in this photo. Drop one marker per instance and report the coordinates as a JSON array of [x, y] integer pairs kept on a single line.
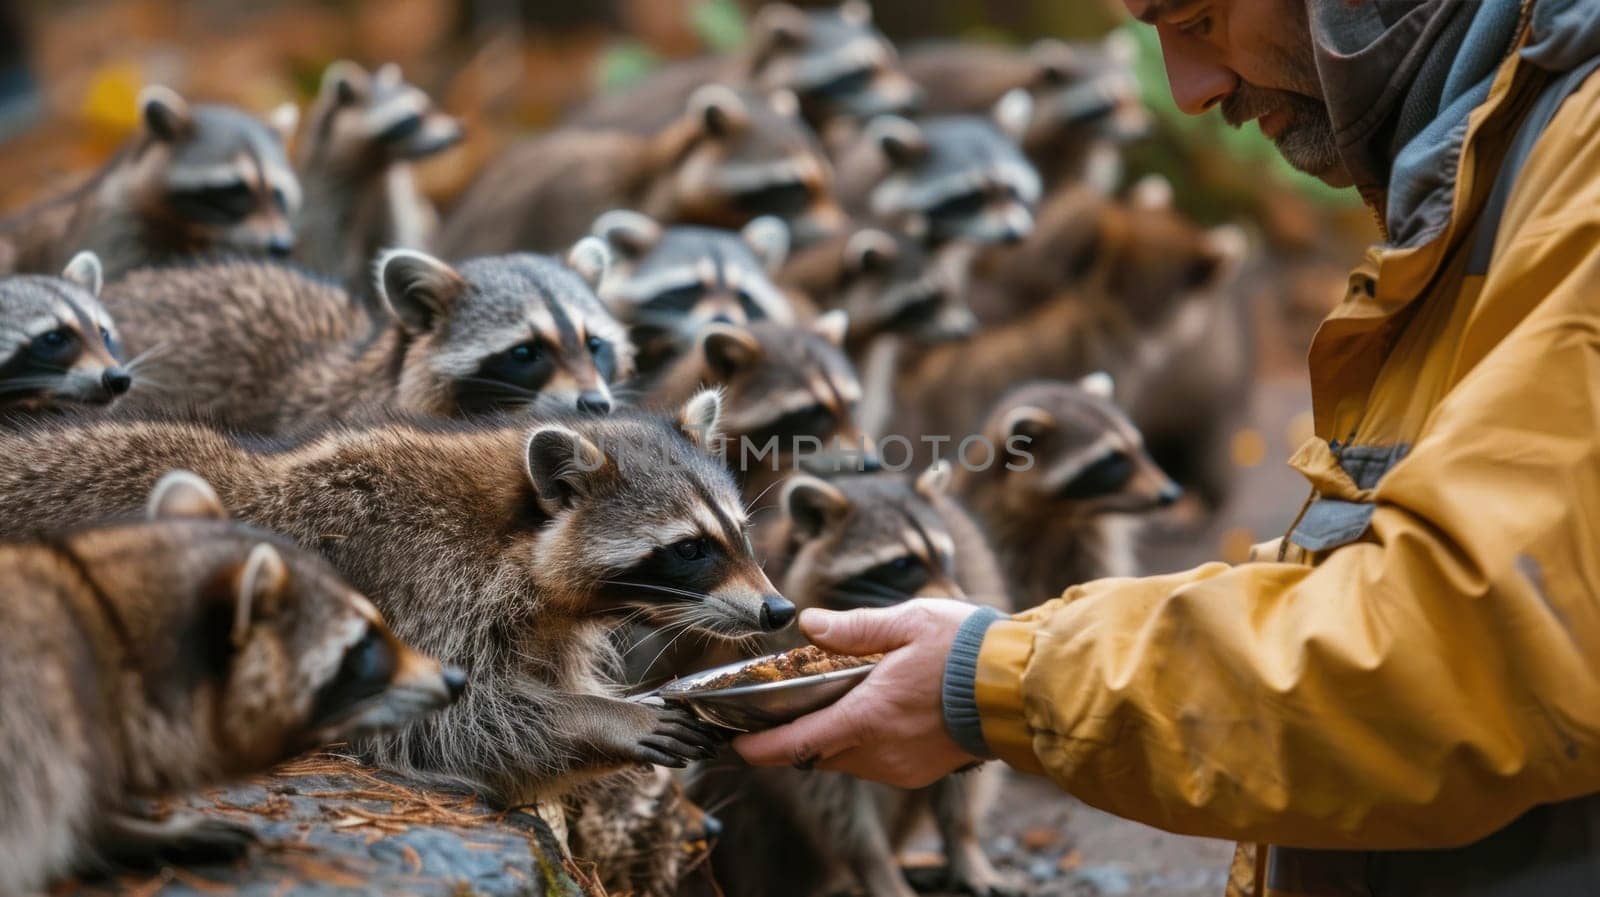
[[1417, 666]]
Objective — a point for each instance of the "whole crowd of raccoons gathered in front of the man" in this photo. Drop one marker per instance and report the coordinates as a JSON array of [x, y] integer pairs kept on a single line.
[[524, 461]]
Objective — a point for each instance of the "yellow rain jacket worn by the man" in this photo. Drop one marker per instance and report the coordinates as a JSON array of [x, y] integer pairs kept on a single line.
[[1420, 668]]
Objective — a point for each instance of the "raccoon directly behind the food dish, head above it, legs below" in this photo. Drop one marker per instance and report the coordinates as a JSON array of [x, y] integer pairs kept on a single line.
[[866, 541]]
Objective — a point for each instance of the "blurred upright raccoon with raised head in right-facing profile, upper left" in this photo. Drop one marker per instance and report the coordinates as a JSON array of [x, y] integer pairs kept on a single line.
[[356, 154]]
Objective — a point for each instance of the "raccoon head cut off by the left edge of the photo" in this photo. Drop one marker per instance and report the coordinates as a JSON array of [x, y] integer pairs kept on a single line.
[[58, 345]]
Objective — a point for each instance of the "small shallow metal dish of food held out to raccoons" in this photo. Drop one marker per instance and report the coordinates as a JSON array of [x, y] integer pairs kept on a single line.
[[761, 706]]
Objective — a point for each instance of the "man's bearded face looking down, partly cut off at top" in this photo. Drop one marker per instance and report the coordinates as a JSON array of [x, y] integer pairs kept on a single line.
[[1255, 60]]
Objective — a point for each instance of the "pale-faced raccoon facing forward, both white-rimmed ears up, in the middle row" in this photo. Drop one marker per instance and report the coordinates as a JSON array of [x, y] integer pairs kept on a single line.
[[666, 284]]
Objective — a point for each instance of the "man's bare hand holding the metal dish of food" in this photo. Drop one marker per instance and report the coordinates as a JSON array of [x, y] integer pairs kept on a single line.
[[890, 728]]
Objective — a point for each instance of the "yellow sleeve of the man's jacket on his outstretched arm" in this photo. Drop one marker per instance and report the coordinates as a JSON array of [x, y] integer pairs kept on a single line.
[[1420, 688]]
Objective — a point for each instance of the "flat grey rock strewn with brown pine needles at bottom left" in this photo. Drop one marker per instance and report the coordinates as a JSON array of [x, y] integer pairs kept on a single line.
[[332, 829]]
